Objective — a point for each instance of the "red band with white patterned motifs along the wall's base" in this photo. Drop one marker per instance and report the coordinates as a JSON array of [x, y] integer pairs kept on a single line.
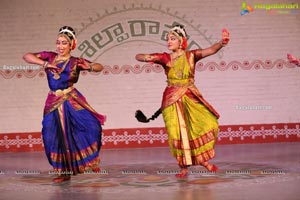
[[157, 137]]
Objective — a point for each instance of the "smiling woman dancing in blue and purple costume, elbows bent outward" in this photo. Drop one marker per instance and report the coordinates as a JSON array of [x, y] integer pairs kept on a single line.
[[71, 127]]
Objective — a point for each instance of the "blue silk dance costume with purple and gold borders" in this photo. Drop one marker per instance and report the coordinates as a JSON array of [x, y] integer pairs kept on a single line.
[[72, 129]]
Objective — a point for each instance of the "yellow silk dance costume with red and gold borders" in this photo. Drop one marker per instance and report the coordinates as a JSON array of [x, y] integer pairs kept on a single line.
[[191, 122]]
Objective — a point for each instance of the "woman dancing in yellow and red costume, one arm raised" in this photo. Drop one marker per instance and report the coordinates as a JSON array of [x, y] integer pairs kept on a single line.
[[191, 122]]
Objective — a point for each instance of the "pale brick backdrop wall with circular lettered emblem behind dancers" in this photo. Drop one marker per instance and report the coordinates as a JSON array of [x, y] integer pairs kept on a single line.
[[248, 82]]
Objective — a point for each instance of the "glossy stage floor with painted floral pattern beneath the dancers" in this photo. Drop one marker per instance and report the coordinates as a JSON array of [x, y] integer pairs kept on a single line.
[[247, 171]]
